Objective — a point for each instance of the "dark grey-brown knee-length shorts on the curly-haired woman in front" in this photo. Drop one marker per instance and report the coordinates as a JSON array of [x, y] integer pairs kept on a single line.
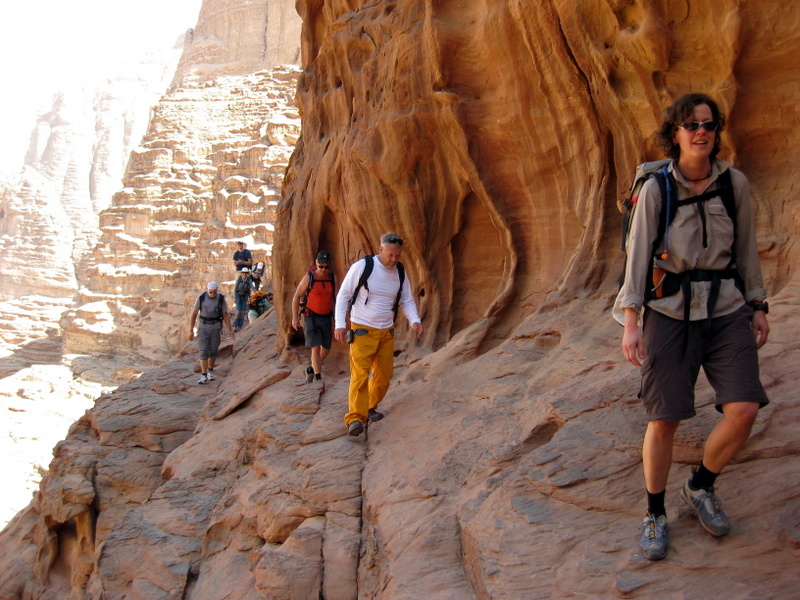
[[726, 352]]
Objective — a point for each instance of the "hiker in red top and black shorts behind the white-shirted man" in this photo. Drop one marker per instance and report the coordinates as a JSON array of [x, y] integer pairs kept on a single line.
[[319, 288]]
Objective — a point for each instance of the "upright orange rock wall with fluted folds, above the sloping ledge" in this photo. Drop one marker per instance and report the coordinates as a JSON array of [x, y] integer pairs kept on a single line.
[[498, 136]]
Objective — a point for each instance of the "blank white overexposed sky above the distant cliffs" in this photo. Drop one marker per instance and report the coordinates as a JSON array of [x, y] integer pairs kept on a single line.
[[46, 44]]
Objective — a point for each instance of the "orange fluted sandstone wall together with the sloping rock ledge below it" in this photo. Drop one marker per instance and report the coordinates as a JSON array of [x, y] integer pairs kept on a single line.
[[496, 137]]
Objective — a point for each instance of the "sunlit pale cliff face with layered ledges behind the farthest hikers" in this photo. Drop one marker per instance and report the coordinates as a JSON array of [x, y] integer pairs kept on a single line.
[[208, 173]]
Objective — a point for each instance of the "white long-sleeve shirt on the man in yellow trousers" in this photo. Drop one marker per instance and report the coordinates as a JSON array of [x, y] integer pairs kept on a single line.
[[373, 308]]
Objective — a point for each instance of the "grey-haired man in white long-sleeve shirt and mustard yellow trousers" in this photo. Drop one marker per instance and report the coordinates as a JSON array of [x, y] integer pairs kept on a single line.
[[374, 310]]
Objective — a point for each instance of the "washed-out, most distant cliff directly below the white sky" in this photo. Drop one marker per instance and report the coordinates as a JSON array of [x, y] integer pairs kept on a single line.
[[78, 152]]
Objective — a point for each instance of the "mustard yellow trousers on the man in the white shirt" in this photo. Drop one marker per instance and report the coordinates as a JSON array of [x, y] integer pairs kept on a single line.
[[371, 353]]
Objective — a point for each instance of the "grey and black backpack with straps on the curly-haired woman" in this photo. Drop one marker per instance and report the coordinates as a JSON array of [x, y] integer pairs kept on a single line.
[[669, 207]]
